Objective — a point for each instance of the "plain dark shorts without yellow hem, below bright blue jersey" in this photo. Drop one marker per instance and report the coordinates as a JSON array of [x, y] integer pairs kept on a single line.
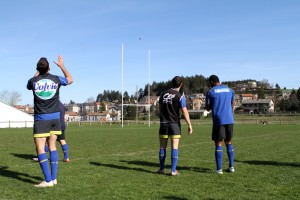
[[222, 132]]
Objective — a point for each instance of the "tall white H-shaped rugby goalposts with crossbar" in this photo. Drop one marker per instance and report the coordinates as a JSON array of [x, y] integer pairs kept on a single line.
[[137, 104]]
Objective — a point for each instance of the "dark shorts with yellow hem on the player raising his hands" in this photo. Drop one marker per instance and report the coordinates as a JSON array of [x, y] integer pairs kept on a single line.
[[44, 128]]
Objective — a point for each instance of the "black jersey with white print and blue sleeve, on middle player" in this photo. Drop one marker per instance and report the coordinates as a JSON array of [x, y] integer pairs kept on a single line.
[[170, 103]]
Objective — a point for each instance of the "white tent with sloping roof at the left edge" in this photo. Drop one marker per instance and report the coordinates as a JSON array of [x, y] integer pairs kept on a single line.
[[11, 117]]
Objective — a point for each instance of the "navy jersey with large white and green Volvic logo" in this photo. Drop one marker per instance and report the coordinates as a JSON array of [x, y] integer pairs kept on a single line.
[[45, 90]]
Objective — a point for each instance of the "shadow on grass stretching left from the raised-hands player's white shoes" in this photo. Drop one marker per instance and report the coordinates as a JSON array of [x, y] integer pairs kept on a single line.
[[5, 172]]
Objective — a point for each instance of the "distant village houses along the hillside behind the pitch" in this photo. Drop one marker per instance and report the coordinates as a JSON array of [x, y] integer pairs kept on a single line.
[[246, 102]]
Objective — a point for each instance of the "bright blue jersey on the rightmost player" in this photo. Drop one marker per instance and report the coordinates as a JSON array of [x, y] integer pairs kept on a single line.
[[220, 99]]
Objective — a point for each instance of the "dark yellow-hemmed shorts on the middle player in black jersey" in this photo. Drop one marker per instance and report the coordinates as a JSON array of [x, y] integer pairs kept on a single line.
[[172, 130]]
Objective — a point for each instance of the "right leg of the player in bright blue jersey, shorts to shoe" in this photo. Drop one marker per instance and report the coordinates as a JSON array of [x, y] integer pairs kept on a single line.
[[229, 146]]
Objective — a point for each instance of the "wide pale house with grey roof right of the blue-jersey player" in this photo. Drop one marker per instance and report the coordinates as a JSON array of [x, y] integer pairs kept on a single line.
[[258, 106]]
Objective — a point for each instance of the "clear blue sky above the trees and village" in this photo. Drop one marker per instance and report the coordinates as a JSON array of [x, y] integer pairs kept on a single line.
[[234, 39]]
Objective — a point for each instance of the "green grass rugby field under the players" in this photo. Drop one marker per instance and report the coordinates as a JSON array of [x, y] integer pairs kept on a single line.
[[110, 162]]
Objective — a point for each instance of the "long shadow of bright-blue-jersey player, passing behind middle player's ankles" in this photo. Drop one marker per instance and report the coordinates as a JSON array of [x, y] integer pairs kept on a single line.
[[156, 165]]
